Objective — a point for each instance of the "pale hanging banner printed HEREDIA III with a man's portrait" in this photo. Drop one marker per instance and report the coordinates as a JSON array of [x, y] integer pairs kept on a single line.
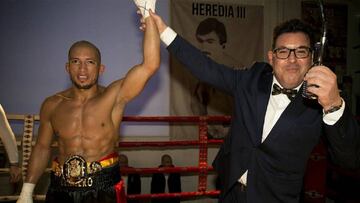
[[230, 34]]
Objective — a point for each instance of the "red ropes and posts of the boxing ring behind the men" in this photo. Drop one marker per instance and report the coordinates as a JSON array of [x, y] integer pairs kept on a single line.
[[314, 191]]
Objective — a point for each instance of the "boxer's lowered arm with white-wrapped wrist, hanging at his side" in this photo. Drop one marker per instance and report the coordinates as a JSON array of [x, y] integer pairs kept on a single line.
[[40, 153]]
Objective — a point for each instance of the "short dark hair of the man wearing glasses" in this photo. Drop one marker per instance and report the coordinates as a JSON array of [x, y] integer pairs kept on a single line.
[[293, 26]]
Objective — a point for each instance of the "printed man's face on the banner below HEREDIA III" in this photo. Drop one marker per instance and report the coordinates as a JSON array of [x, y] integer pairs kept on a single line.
[[210, 44]]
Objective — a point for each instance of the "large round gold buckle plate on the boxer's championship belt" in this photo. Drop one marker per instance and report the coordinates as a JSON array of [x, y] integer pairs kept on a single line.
[[75, 173]]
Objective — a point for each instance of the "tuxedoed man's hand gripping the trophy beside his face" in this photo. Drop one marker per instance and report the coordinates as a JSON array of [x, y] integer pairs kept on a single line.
[[327, 90]]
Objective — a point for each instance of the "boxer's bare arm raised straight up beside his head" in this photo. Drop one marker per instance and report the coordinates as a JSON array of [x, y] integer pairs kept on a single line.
[[137, 77]]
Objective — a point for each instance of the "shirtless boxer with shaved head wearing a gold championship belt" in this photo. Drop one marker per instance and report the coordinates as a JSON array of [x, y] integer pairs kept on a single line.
[[85, 121]]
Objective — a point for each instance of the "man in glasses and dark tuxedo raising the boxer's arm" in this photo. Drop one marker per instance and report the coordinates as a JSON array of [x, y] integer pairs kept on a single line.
[[273, 128]]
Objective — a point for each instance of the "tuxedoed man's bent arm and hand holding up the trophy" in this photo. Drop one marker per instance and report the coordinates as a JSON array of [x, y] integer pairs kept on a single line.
[[341, 128]]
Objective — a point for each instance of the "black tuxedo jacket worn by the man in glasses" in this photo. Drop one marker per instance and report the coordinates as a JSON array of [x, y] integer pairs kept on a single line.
[[276, 166]]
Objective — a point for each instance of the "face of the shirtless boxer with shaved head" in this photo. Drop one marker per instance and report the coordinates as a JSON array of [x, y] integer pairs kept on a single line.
[[83, 67]]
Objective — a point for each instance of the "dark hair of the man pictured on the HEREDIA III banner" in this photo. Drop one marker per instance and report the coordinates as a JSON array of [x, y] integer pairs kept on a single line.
[[212, 24]]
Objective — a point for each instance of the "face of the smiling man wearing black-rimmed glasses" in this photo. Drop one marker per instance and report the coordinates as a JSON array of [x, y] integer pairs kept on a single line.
[[291, 71]]
